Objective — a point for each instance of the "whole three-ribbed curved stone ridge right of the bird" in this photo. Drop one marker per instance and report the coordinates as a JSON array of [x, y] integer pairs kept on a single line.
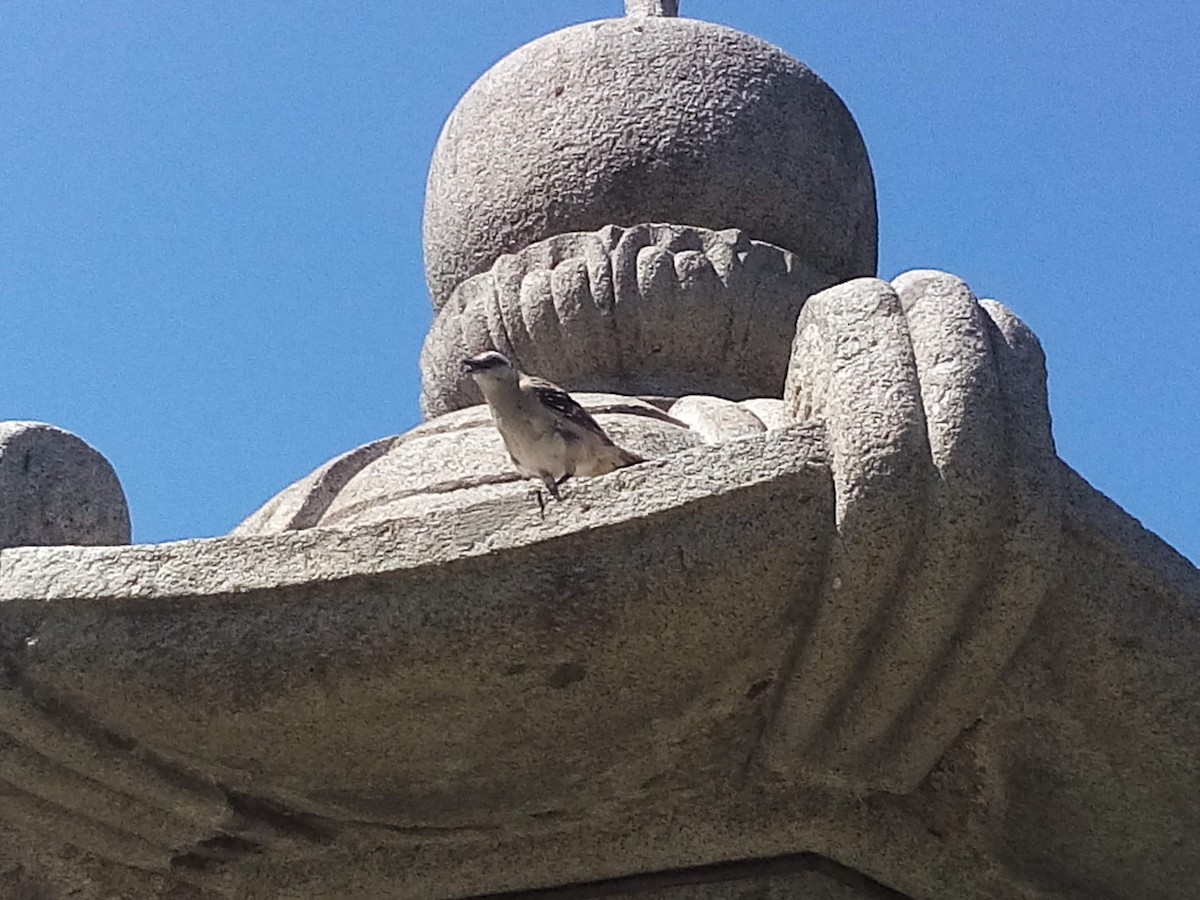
[[939, 434]]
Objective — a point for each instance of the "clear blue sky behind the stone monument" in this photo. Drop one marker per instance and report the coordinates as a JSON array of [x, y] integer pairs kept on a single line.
[[211, 217]]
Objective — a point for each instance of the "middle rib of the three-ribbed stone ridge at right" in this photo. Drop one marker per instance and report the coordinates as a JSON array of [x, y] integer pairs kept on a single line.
[[967, 423]]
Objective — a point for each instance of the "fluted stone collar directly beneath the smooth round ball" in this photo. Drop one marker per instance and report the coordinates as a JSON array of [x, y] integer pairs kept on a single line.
[[655, 309]]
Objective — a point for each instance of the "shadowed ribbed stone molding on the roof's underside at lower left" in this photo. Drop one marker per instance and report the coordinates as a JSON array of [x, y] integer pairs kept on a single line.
[[65, 778]]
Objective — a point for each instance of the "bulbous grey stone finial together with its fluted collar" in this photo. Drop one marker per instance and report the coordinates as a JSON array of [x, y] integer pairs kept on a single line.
[[644, 125]]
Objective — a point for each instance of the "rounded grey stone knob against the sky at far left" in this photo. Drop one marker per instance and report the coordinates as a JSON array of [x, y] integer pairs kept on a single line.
[[55, 489]]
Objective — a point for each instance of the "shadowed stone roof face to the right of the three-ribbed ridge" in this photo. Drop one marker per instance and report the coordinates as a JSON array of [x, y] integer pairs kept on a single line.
[[1097, 799]]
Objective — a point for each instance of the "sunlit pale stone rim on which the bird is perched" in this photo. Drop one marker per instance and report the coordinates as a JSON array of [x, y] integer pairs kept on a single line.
[[241, 565]]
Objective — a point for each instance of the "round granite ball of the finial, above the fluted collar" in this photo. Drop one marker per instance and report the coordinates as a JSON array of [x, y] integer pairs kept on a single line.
[[649, 119]]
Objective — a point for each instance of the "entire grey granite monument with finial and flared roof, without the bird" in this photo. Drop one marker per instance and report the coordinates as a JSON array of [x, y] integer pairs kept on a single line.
[[854, 631]]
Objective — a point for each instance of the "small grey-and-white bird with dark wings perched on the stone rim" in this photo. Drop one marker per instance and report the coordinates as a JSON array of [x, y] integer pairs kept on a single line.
[[548, 434]]
